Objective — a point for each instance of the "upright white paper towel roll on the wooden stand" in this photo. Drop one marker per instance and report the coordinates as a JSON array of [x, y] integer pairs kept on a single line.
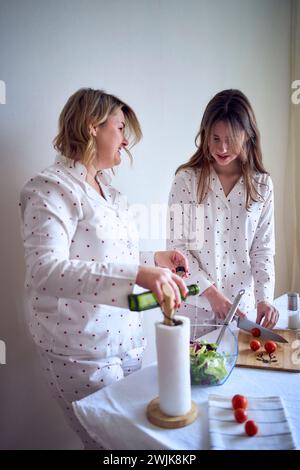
[[173, 361]]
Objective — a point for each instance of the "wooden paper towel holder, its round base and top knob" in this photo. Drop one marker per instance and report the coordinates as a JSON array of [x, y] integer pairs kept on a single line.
[[154, 413]]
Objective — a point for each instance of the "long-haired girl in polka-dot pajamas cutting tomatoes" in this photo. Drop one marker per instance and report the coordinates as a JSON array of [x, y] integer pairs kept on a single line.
[[227, 176]]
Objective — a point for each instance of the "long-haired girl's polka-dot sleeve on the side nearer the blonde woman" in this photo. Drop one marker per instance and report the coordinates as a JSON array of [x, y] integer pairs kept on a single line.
[[182, 231]]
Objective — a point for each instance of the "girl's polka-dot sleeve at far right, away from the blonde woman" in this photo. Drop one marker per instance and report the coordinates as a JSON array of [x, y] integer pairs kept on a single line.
[[263, 250]]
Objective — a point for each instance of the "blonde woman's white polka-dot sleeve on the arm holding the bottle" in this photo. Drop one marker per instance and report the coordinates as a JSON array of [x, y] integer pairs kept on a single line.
[[49, 222]]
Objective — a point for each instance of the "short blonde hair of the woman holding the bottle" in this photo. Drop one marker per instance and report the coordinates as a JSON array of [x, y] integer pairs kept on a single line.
[[88, 107]]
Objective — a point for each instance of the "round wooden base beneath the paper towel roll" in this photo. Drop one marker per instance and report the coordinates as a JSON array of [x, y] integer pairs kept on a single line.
[[157, 417]]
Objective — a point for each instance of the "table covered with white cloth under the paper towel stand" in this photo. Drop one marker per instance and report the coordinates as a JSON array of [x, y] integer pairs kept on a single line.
[[116, 415]]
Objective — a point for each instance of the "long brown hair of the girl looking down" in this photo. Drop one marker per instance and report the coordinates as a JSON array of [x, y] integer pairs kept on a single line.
[[233, 108]]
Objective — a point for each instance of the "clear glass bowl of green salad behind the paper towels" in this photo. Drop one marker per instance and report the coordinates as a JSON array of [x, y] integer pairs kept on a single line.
[[212, 364]]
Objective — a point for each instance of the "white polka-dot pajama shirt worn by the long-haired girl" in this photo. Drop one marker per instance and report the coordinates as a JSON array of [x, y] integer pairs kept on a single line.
[[238, 245]]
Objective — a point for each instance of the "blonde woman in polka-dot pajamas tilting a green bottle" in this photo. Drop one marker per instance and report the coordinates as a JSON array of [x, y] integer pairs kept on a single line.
[[82, 255]]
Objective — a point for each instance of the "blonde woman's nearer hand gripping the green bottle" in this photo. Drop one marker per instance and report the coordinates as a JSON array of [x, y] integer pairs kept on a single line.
[[154, 278]]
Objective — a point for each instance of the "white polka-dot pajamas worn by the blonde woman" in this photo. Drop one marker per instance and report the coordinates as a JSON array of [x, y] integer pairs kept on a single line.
[[82, 257]]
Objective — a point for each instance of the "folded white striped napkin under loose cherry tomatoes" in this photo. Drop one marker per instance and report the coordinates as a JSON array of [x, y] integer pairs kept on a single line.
[[268, 413]]
